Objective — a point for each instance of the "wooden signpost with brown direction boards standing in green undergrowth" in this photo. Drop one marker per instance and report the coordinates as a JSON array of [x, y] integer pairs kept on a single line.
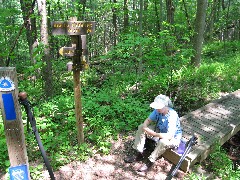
[[76, 30]]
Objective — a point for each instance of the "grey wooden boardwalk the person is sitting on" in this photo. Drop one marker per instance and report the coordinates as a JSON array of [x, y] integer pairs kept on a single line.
[[217, 121]]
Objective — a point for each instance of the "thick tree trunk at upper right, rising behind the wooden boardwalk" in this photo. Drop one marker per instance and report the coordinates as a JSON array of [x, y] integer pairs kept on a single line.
[[199, 31]]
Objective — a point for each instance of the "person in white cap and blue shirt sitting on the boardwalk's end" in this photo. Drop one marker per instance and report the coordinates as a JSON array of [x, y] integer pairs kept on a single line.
[[167, 130]]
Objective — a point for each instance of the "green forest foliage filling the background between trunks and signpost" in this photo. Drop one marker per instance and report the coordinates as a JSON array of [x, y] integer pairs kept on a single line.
[[116, 94]]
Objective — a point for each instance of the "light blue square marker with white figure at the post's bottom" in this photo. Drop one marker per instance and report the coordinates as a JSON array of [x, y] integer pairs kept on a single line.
[[19, 172]]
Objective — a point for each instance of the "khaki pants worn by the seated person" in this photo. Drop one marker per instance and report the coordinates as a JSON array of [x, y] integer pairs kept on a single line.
[[160, 148]]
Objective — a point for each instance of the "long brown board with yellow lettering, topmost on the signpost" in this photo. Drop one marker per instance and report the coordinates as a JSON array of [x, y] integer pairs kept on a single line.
[[73, 27]]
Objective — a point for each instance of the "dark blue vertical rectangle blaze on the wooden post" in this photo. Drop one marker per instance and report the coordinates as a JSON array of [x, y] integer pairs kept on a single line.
[[9, 107]]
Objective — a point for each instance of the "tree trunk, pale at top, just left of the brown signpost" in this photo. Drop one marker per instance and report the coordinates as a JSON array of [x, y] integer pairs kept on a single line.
[[47, 67]]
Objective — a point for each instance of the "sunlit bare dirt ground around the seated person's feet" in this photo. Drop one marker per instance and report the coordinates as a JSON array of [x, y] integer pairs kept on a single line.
[[113, 167]]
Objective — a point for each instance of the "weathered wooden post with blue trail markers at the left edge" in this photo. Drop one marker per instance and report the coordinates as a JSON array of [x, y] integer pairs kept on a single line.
[[13, 125]]
